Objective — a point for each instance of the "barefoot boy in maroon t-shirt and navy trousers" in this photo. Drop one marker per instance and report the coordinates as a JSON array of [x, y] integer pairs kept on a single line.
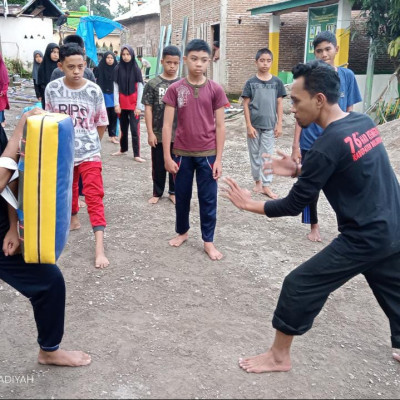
[[198, 146]]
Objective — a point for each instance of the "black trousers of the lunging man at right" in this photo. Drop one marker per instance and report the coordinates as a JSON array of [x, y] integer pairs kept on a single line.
[[306, 289]]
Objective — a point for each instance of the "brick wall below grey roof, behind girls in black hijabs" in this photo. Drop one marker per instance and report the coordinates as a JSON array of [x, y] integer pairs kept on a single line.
[[142, 32]]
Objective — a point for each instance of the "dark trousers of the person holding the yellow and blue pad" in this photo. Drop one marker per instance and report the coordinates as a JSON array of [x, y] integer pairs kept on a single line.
[[43, 285]]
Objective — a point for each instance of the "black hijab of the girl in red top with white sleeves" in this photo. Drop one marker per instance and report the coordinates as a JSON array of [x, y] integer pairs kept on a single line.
[[127, 74]]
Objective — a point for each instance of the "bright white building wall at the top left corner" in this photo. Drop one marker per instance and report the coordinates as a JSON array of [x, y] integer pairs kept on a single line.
[[12, 37]]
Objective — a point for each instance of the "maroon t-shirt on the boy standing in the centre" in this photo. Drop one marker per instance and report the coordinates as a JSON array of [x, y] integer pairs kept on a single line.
[[196, 107]]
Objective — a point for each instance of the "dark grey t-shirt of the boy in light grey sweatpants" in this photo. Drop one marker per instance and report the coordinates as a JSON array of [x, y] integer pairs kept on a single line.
[[263, 96]]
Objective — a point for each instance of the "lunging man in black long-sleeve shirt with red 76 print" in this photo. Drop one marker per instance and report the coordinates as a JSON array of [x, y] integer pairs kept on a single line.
[[350, 164]]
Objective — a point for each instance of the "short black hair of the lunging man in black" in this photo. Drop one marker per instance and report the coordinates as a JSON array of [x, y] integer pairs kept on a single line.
[[319, 77]]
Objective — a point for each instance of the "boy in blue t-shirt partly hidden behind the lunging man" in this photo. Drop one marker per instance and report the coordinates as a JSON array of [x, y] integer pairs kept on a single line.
[[325, 49]]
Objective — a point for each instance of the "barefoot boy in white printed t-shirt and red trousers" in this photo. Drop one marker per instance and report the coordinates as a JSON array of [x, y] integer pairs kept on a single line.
[[83, 101]]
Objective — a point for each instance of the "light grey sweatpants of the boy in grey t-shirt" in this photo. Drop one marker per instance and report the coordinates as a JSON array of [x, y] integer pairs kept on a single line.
[[263, 143]]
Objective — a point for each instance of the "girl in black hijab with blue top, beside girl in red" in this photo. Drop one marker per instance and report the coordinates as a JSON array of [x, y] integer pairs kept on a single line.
[[104, 78]]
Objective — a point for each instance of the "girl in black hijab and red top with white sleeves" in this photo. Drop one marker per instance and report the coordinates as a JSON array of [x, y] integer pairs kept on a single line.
[[128, 90]]
